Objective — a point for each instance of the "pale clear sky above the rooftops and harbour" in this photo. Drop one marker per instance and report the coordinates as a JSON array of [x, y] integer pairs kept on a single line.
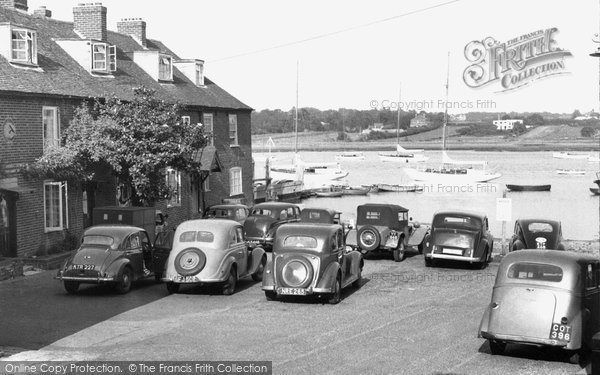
[[362, 55]]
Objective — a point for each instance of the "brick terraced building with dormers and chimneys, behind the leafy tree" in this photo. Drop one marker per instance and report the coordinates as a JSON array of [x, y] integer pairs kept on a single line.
[[48, 68]]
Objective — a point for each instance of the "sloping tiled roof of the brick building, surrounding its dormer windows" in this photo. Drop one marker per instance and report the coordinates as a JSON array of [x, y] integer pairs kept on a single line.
[[62, 75]]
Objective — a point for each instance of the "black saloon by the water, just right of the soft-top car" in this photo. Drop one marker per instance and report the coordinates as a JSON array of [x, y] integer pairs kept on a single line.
[[461, 236]]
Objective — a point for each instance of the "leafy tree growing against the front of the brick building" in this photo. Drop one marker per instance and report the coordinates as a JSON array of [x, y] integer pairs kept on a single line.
[[136, 140]]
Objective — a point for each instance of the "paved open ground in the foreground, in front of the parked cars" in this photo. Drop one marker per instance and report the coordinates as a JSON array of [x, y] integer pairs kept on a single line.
[[405, 319]]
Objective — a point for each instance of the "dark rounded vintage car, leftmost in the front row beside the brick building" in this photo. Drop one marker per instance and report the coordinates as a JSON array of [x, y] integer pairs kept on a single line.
[[111, 254]]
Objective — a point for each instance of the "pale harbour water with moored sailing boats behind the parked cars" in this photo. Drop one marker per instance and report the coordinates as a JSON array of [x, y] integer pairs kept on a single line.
[[569, 200]]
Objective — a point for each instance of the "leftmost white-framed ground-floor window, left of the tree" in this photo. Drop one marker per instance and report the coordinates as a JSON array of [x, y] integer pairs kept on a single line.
[[55, 206]]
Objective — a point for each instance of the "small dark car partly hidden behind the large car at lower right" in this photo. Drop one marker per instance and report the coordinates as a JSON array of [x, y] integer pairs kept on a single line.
[[536, 234]]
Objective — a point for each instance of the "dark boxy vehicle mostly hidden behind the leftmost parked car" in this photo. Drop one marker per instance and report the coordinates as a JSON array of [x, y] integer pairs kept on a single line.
[[143, 217]]
